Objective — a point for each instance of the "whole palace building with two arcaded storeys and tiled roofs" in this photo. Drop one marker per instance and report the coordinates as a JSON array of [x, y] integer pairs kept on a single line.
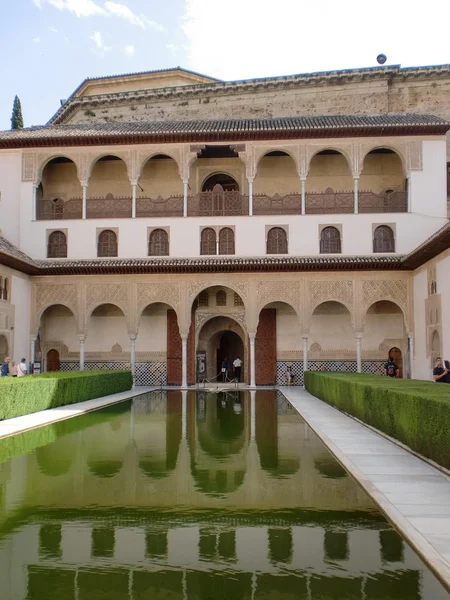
[[167, 220]]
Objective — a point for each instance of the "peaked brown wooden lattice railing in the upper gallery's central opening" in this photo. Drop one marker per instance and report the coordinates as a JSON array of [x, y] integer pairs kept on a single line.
[[217, 203]]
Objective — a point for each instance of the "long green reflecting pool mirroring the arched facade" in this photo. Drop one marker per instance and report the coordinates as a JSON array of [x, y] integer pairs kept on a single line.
[[199, 496]]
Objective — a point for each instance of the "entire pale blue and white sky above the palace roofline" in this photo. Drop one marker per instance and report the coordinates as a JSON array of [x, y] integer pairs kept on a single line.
[[48, 47]]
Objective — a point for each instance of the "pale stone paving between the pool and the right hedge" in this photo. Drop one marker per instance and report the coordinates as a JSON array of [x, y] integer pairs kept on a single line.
[[412, 494]]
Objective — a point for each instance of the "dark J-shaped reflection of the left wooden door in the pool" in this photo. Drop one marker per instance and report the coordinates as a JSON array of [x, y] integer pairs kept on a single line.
[[160, 464]]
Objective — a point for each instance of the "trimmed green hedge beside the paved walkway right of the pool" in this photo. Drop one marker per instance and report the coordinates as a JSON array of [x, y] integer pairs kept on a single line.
[[414, 412]]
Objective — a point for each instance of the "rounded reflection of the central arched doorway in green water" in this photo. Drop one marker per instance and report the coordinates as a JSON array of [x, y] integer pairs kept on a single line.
[[222, 431]]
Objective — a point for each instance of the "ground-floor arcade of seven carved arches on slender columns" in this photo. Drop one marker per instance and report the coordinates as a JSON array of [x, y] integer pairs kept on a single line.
[[179, 331]]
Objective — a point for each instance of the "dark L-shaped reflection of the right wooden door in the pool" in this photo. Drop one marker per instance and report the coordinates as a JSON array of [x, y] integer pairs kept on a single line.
[[267, 438]]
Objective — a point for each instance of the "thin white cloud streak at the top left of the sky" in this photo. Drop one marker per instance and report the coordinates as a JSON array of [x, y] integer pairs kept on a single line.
[[89, 8]]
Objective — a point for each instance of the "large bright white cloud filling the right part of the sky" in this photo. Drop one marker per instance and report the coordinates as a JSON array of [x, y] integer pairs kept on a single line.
[[298, 36]]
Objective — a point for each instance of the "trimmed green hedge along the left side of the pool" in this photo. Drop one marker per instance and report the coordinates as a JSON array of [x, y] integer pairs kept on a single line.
[[25, 395]]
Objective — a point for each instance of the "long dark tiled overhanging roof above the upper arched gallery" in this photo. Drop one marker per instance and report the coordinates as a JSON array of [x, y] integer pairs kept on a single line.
[[89, 134]]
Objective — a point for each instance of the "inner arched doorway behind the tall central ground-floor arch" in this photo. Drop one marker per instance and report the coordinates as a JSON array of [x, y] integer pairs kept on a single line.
[[220, 337]]
